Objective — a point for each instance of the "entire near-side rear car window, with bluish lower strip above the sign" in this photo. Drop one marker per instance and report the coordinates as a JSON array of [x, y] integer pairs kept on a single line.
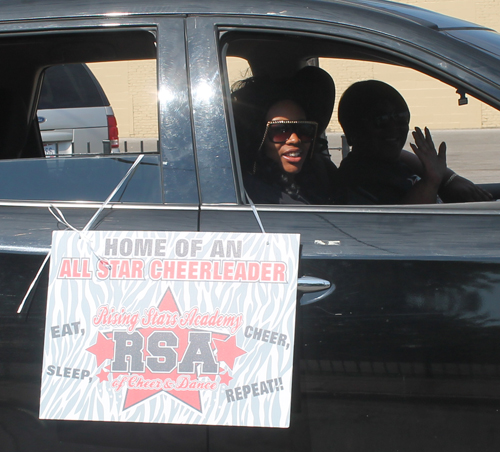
[[96, 106]]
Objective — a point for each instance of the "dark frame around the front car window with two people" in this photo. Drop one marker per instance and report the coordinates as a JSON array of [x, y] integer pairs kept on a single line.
[[414, 56]]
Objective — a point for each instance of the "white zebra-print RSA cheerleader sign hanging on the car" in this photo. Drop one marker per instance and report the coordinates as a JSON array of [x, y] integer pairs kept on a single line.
[[170, 327]]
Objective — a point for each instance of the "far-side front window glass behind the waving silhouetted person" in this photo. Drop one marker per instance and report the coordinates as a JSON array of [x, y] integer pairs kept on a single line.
[[471, 130]]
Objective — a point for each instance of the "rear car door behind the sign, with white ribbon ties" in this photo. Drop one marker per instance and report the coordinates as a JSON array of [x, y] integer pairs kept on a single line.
[[128, 191]]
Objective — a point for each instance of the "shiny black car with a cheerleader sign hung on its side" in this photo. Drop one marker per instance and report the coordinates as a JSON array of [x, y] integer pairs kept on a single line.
[[399, 351]]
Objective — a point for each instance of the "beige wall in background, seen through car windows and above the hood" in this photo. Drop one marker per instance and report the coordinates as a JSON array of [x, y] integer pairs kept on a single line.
[[131, 86]]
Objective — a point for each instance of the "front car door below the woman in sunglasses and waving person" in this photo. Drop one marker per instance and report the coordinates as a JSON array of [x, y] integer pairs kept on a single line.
[[403, 353]]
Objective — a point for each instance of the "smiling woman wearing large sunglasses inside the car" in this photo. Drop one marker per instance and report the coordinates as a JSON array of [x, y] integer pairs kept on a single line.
[[279, 123]]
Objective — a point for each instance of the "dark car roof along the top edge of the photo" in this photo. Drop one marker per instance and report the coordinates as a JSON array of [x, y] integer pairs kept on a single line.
[[341, 11]]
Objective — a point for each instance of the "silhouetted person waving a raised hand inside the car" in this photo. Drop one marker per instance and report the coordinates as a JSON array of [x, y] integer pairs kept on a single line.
[[375, 119]]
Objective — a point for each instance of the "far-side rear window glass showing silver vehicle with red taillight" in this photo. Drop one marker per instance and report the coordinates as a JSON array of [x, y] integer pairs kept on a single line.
[[99, 108]]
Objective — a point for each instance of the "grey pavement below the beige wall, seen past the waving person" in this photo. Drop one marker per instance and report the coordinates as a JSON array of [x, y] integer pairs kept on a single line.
[[472, 153]]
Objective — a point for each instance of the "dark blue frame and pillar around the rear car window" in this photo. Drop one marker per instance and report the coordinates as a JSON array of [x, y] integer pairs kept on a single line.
[[175, 136]]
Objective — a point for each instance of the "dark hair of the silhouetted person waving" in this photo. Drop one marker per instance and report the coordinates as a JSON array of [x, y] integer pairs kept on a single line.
[[360, 100]]
